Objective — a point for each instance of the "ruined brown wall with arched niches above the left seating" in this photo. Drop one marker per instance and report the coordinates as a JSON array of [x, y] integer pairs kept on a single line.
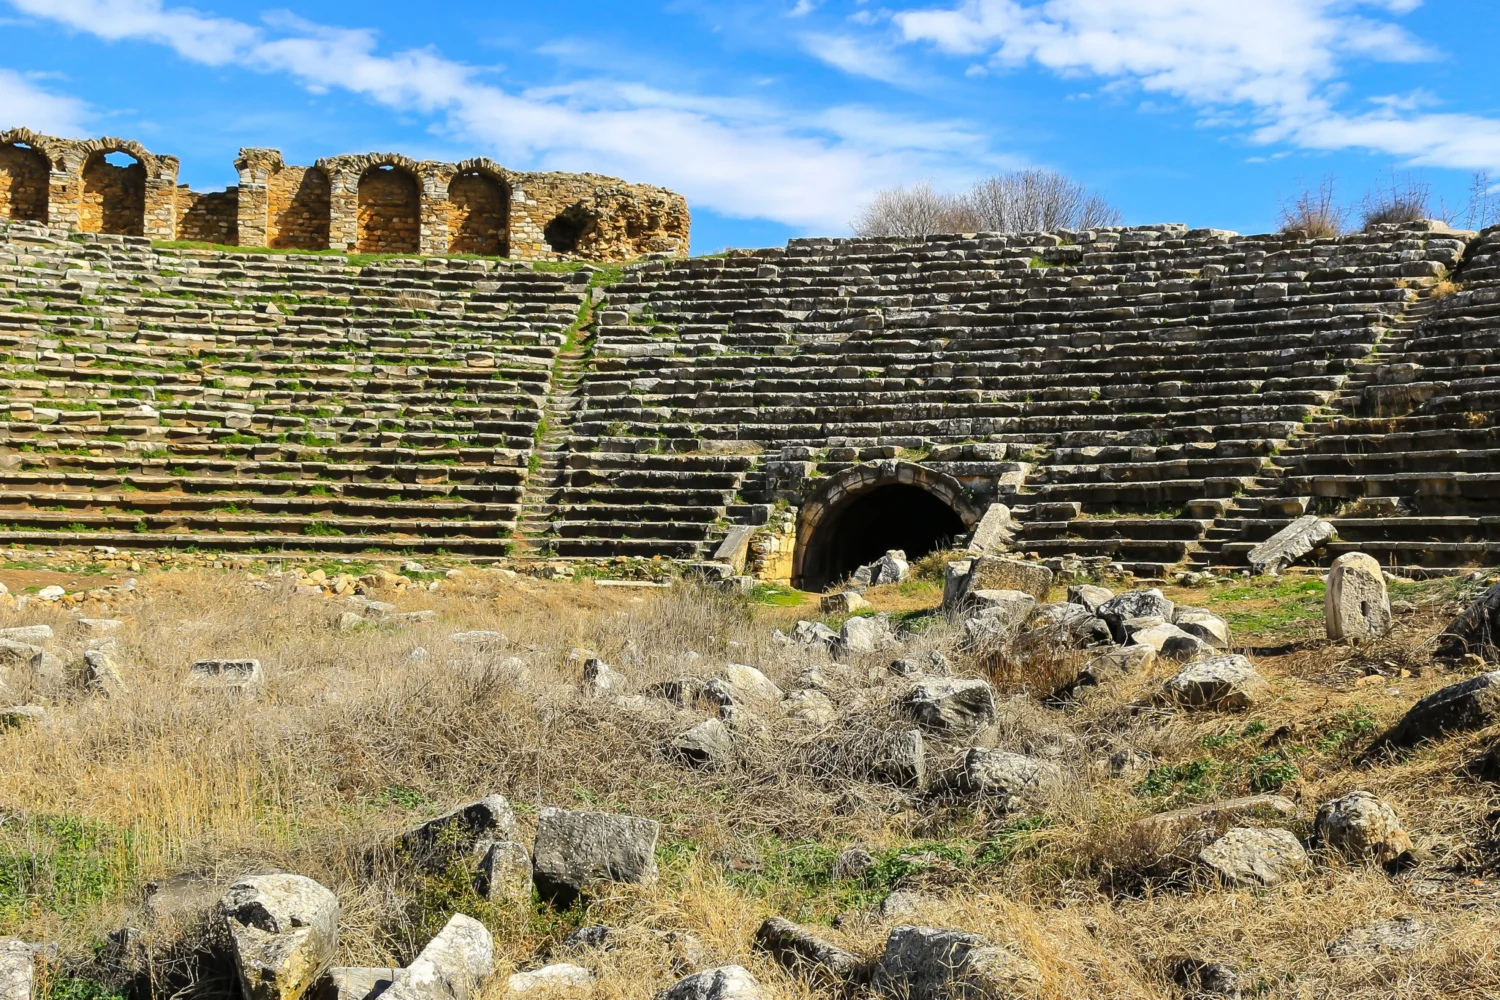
[[377, 203]]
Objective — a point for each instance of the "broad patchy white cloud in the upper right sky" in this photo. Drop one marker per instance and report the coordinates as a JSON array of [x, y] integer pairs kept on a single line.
[[1271, 65]]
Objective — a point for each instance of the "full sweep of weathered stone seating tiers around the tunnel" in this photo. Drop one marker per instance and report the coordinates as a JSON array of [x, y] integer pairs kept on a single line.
[[1156, 398]]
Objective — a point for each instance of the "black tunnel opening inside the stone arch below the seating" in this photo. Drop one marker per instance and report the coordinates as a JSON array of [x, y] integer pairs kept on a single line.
[[860, 531]]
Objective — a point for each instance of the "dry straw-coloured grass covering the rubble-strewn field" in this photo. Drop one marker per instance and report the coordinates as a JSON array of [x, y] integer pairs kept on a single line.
[[353, 740]]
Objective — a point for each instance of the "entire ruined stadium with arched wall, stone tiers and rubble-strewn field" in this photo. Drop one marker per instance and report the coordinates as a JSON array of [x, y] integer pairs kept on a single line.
[[427, 581]]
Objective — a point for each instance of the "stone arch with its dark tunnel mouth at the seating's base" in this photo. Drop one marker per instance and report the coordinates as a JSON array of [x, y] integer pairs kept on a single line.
[[857, 515]]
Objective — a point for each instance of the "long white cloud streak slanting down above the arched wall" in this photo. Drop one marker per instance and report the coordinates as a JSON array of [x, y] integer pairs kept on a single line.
[[736, 157]]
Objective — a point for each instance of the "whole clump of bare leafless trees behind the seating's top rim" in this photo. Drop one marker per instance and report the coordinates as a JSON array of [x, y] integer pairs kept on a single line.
[[1022, 202]]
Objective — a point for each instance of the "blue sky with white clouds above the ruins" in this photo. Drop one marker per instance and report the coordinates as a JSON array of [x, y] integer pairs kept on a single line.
[[781, 118]]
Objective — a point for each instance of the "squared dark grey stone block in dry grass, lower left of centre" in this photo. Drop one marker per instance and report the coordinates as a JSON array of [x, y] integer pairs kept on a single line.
[[578, 848]]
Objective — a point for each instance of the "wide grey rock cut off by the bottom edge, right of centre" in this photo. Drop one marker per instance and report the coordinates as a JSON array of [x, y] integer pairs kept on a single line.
[[923, 963]]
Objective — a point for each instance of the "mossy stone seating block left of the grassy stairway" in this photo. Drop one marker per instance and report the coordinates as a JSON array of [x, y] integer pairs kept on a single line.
[[262, 401]]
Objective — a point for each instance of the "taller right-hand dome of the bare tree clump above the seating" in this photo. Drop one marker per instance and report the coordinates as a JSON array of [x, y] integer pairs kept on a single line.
[[1036, 202]]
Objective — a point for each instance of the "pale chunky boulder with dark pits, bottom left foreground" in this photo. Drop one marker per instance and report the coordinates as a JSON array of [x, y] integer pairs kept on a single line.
[[284, 932]]
